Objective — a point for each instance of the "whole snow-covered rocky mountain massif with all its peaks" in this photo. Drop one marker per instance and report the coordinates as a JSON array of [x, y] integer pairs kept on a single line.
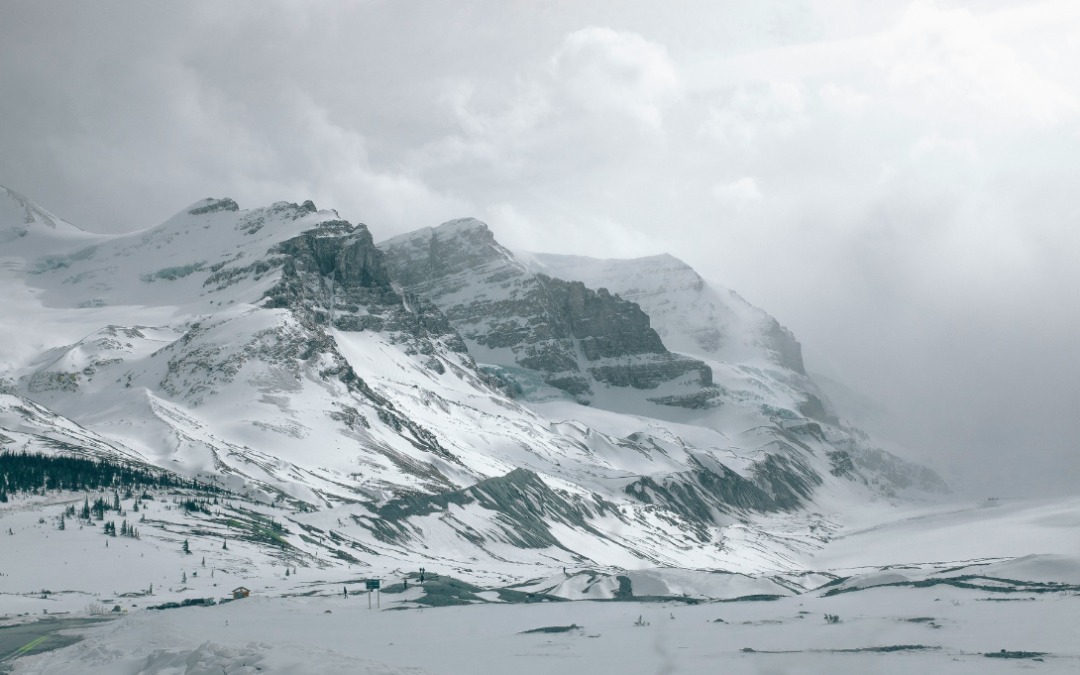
[[435, 396]]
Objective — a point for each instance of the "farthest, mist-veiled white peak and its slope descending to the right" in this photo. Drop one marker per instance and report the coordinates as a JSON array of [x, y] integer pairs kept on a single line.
[[757, 362]]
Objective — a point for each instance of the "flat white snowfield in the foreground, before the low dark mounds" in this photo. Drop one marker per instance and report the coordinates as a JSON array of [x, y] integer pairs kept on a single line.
[[931, 631]]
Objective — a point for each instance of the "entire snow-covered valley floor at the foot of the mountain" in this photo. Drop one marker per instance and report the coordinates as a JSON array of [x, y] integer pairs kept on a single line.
[[919, 591]]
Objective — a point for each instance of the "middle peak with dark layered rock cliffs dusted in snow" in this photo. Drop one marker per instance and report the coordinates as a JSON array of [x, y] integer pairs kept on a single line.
[[574, 337]]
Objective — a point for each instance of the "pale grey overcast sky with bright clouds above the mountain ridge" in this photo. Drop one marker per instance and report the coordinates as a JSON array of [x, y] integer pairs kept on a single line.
[[896, 182]]
